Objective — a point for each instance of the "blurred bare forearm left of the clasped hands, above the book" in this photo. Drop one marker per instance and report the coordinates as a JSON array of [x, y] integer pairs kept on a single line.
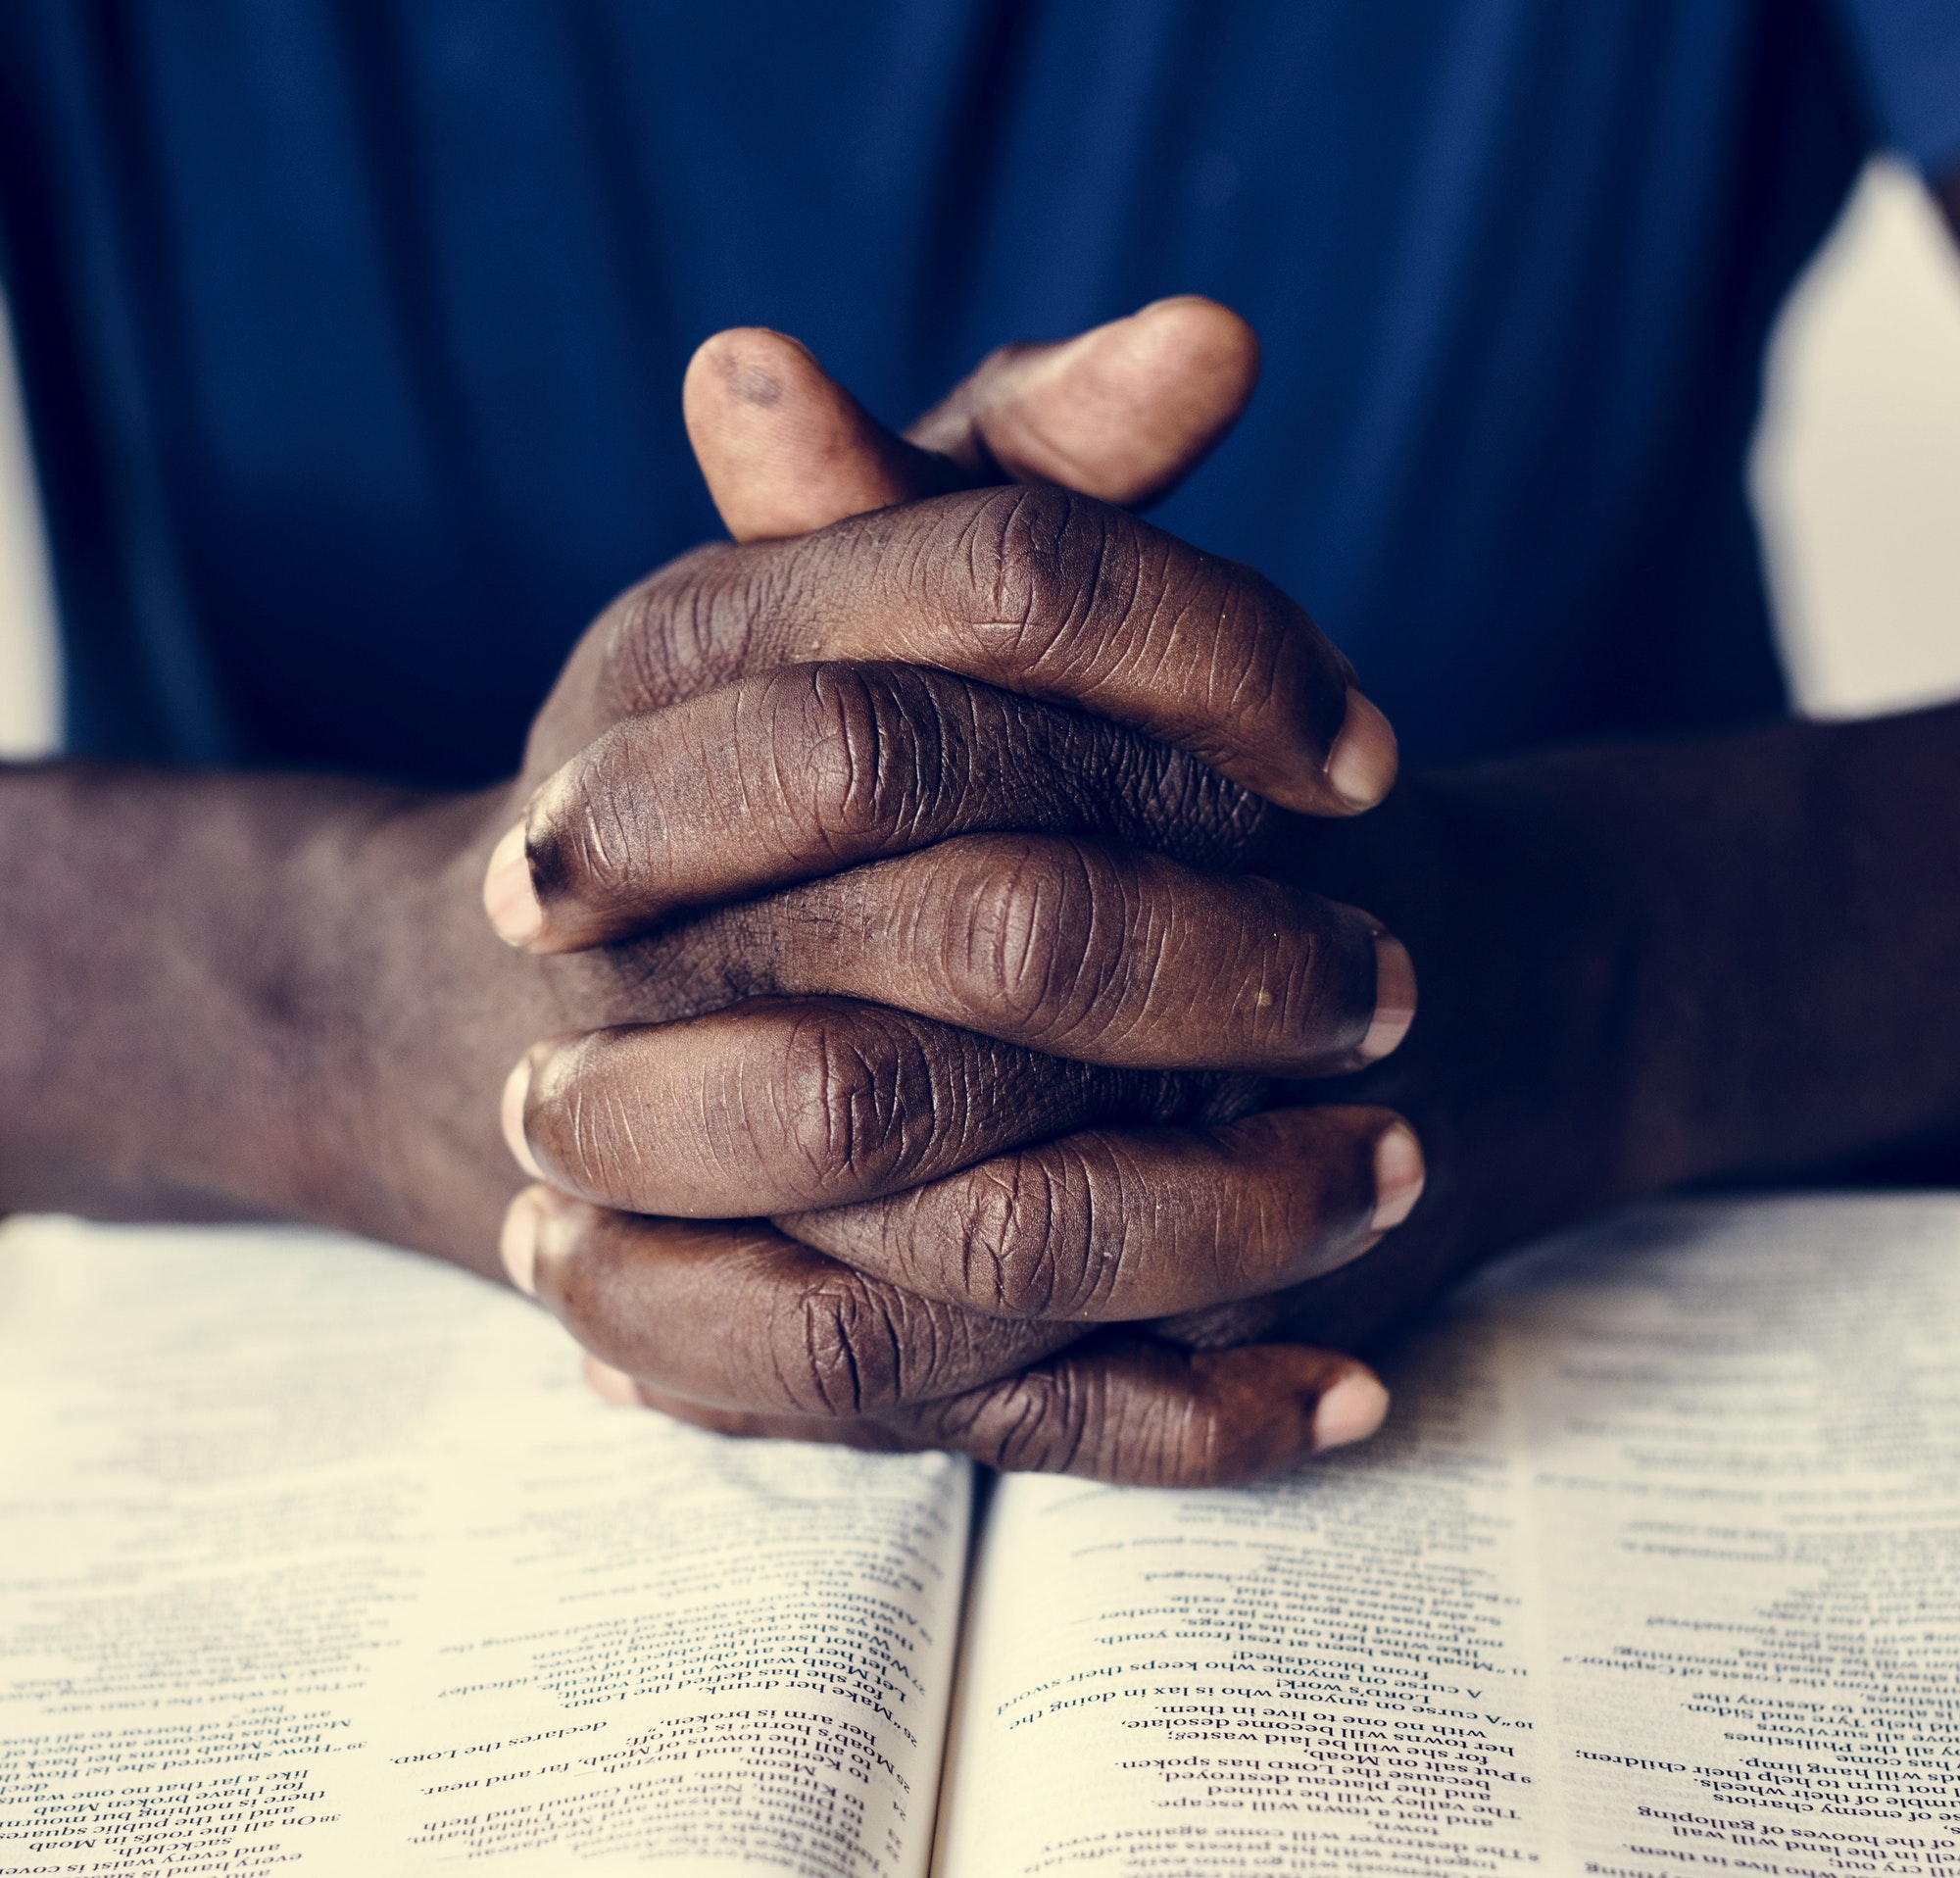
[[209, 1007]]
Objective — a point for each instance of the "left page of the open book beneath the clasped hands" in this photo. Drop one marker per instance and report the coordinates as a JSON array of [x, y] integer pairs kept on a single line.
[[318, 1556]]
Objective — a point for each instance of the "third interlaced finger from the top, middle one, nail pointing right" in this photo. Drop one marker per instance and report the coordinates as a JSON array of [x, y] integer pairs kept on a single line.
[[1065, 948]]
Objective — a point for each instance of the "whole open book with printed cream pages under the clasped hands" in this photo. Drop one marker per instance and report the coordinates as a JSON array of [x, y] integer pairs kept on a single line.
[[317, 1556]]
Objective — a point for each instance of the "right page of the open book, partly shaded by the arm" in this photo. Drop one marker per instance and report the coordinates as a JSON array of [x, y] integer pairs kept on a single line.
[[1655, 1571]]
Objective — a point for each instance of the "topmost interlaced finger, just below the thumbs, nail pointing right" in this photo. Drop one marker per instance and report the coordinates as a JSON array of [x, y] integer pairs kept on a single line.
[[1034, 591]]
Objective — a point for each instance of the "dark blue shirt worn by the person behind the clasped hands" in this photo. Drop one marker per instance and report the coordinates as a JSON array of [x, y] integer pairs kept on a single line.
[[354, 330]]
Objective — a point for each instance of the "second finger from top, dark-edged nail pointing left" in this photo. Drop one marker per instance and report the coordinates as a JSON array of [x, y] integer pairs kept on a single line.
[[808, 769]]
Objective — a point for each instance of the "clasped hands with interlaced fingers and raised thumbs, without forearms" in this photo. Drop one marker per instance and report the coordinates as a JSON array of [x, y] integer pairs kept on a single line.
[[926, 830]]
